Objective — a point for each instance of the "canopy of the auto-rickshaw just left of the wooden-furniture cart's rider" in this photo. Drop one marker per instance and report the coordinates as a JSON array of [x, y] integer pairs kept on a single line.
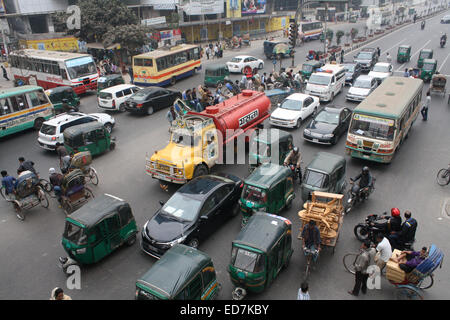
[[262, 231]]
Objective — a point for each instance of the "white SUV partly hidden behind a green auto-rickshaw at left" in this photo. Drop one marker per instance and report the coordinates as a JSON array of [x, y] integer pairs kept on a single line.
[[52, 130]]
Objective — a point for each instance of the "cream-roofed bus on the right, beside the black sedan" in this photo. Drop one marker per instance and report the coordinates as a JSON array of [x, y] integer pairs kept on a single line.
[[382, 121]]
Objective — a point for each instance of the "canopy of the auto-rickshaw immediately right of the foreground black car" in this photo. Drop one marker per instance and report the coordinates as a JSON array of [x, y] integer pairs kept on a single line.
[[267, 175]]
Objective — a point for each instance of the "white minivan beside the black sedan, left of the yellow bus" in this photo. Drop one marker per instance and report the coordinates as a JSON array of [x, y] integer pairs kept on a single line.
[[113, 98]]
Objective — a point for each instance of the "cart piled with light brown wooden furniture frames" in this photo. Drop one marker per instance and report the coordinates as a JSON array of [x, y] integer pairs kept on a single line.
[[327, 210]]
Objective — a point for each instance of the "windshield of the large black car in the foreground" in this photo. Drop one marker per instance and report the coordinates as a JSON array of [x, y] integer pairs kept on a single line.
[[182, 207]]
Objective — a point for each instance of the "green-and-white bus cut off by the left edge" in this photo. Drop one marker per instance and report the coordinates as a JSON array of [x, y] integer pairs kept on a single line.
[[22, 108]]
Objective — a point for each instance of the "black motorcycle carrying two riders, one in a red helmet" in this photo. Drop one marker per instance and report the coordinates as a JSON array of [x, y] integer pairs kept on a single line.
[[369, 230]]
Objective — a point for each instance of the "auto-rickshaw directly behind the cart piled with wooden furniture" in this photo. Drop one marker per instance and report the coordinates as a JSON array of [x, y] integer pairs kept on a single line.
[[326, 173]]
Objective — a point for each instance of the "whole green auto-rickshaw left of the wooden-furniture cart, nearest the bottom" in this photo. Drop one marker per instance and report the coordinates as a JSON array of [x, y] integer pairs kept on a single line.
[[259, 252]]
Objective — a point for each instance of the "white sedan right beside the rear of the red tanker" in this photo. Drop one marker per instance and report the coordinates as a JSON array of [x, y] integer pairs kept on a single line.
[[293, 110]]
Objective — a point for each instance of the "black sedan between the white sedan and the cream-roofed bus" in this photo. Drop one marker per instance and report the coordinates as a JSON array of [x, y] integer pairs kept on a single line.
[[328, 125]]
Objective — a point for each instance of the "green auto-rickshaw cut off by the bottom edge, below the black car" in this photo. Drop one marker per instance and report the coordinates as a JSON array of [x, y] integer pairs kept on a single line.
[[182, 273]]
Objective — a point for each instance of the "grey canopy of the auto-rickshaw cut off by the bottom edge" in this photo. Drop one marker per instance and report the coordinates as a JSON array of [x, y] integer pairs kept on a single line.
[[177, 266]]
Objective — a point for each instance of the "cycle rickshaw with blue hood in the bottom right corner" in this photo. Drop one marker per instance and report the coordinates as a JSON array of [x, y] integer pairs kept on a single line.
[[412, 287]]
